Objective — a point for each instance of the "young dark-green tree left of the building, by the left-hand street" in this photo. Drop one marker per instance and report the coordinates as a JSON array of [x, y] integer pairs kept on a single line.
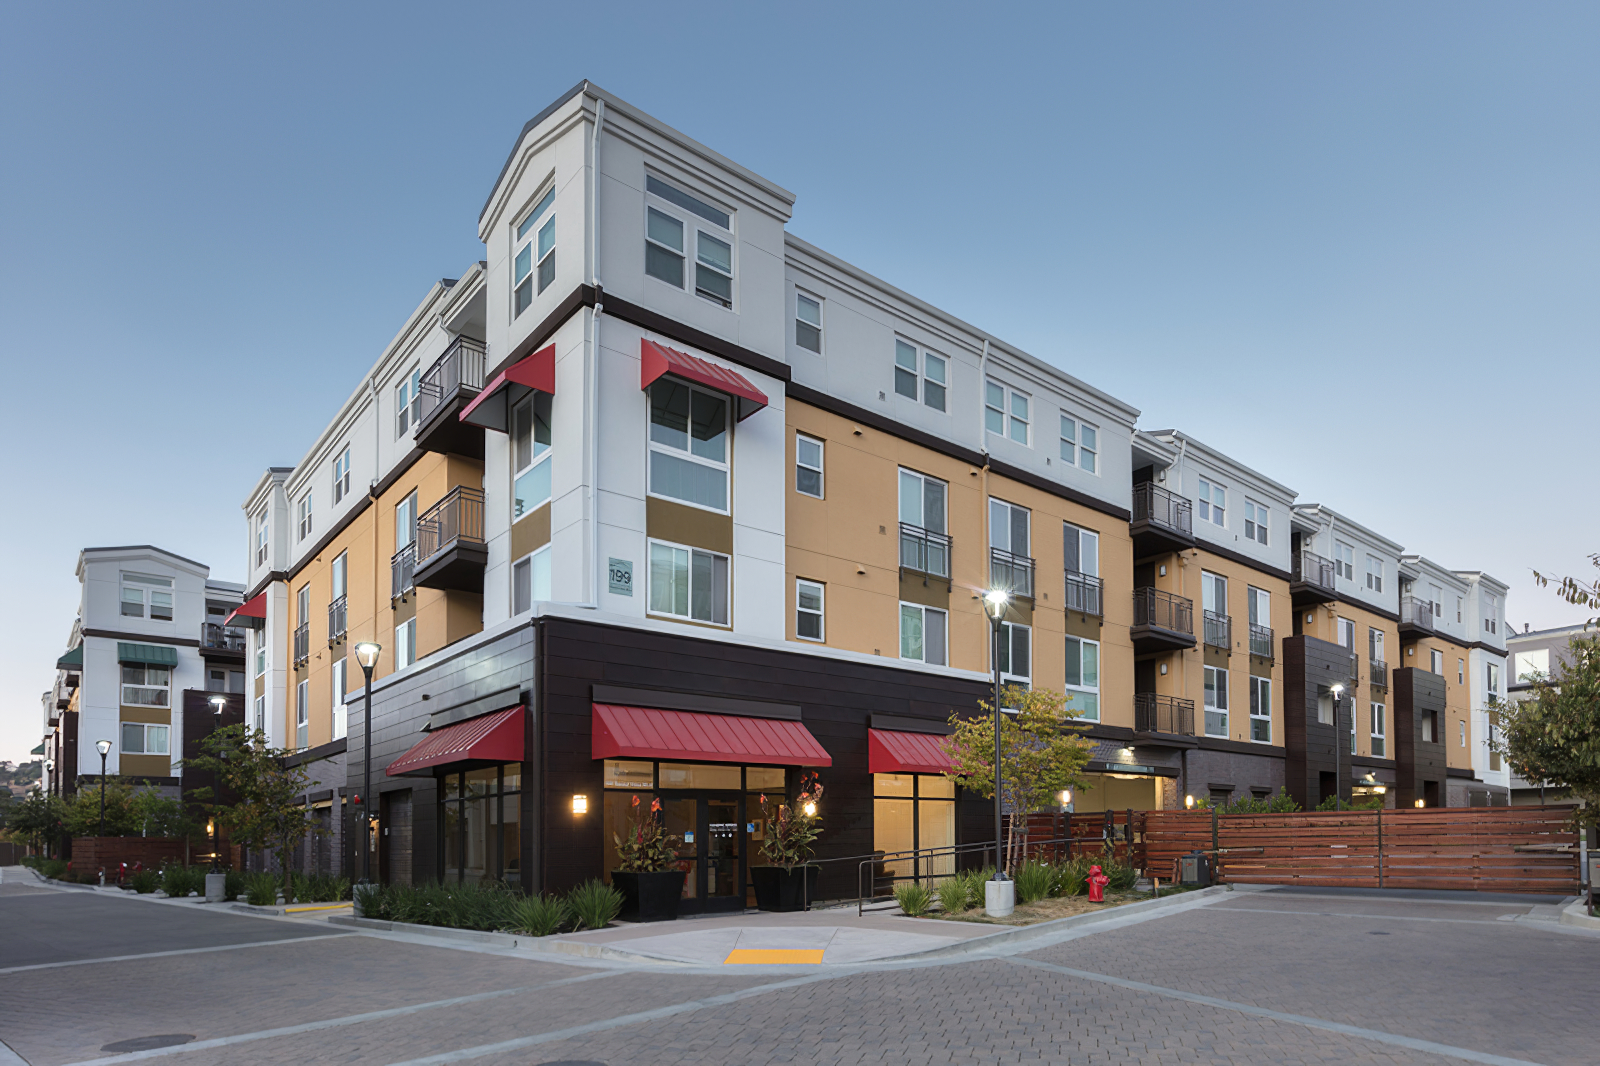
[[268, 811]]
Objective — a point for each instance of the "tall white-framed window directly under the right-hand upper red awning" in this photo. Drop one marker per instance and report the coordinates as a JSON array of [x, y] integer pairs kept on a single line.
[[689, 446]]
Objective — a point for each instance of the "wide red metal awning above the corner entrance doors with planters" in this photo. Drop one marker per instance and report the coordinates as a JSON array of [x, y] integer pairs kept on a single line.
[[694, 737]]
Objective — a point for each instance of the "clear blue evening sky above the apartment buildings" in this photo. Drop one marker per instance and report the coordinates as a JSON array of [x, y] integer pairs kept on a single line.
[[1353, 246]]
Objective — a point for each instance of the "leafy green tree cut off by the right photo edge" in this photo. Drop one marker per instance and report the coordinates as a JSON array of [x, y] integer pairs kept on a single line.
[[1553, 734]]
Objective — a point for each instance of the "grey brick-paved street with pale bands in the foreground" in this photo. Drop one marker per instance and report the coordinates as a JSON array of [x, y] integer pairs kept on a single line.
[[1274, 977]]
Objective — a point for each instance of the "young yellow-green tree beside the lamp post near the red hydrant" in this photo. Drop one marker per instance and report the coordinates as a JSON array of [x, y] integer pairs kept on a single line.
[[1041, 755]]
